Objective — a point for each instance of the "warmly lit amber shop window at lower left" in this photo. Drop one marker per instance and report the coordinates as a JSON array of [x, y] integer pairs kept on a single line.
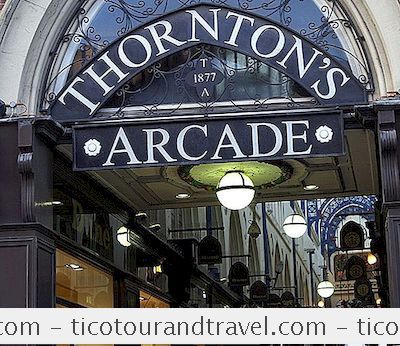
[[80, 284]]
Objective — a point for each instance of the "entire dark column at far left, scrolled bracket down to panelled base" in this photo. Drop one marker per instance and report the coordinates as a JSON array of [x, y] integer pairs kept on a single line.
[[27, 246]]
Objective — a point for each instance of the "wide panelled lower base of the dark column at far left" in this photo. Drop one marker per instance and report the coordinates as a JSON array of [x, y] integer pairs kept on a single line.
[[27, 266]]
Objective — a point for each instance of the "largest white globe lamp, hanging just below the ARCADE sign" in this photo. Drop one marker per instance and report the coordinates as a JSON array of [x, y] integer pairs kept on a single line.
[[235, 190]]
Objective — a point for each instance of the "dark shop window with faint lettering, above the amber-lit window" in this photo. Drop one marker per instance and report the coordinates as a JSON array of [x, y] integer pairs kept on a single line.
[[86, 214]]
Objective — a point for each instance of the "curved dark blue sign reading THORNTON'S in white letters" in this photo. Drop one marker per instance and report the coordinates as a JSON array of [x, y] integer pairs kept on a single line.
[[298, 58]]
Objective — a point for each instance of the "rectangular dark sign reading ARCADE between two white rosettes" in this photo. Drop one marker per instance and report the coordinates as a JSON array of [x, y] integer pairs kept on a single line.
[[212, 140]]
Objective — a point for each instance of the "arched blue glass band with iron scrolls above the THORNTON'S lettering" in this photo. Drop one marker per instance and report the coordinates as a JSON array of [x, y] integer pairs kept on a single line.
[[100, 22]]
